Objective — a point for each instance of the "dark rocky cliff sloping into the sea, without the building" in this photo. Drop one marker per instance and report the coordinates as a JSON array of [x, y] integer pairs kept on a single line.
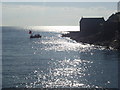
[[108, 35]]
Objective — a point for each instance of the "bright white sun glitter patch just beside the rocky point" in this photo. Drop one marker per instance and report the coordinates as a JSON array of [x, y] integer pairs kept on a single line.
[[66, 44]]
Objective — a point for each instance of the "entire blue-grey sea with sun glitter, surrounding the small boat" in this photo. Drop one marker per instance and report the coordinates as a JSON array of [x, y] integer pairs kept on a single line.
[[53, 61]]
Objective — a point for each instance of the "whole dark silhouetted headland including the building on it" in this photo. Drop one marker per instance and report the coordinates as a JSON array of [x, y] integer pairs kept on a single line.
[[97, 31]]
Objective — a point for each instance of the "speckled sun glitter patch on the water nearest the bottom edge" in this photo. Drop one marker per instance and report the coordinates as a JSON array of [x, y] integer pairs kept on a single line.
[[64, 73]]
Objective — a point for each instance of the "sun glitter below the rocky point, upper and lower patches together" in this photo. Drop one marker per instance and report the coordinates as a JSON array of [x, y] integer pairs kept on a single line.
[[66, 72]]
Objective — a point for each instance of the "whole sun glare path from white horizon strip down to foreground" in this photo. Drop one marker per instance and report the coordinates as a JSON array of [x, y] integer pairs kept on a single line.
[[66, 67]]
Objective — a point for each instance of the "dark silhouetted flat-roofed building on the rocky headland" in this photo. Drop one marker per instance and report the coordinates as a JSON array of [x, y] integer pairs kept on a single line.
[[90, 26]]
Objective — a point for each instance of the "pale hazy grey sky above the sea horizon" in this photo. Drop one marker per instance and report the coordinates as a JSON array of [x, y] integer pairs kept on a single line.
[[53, 13]]
